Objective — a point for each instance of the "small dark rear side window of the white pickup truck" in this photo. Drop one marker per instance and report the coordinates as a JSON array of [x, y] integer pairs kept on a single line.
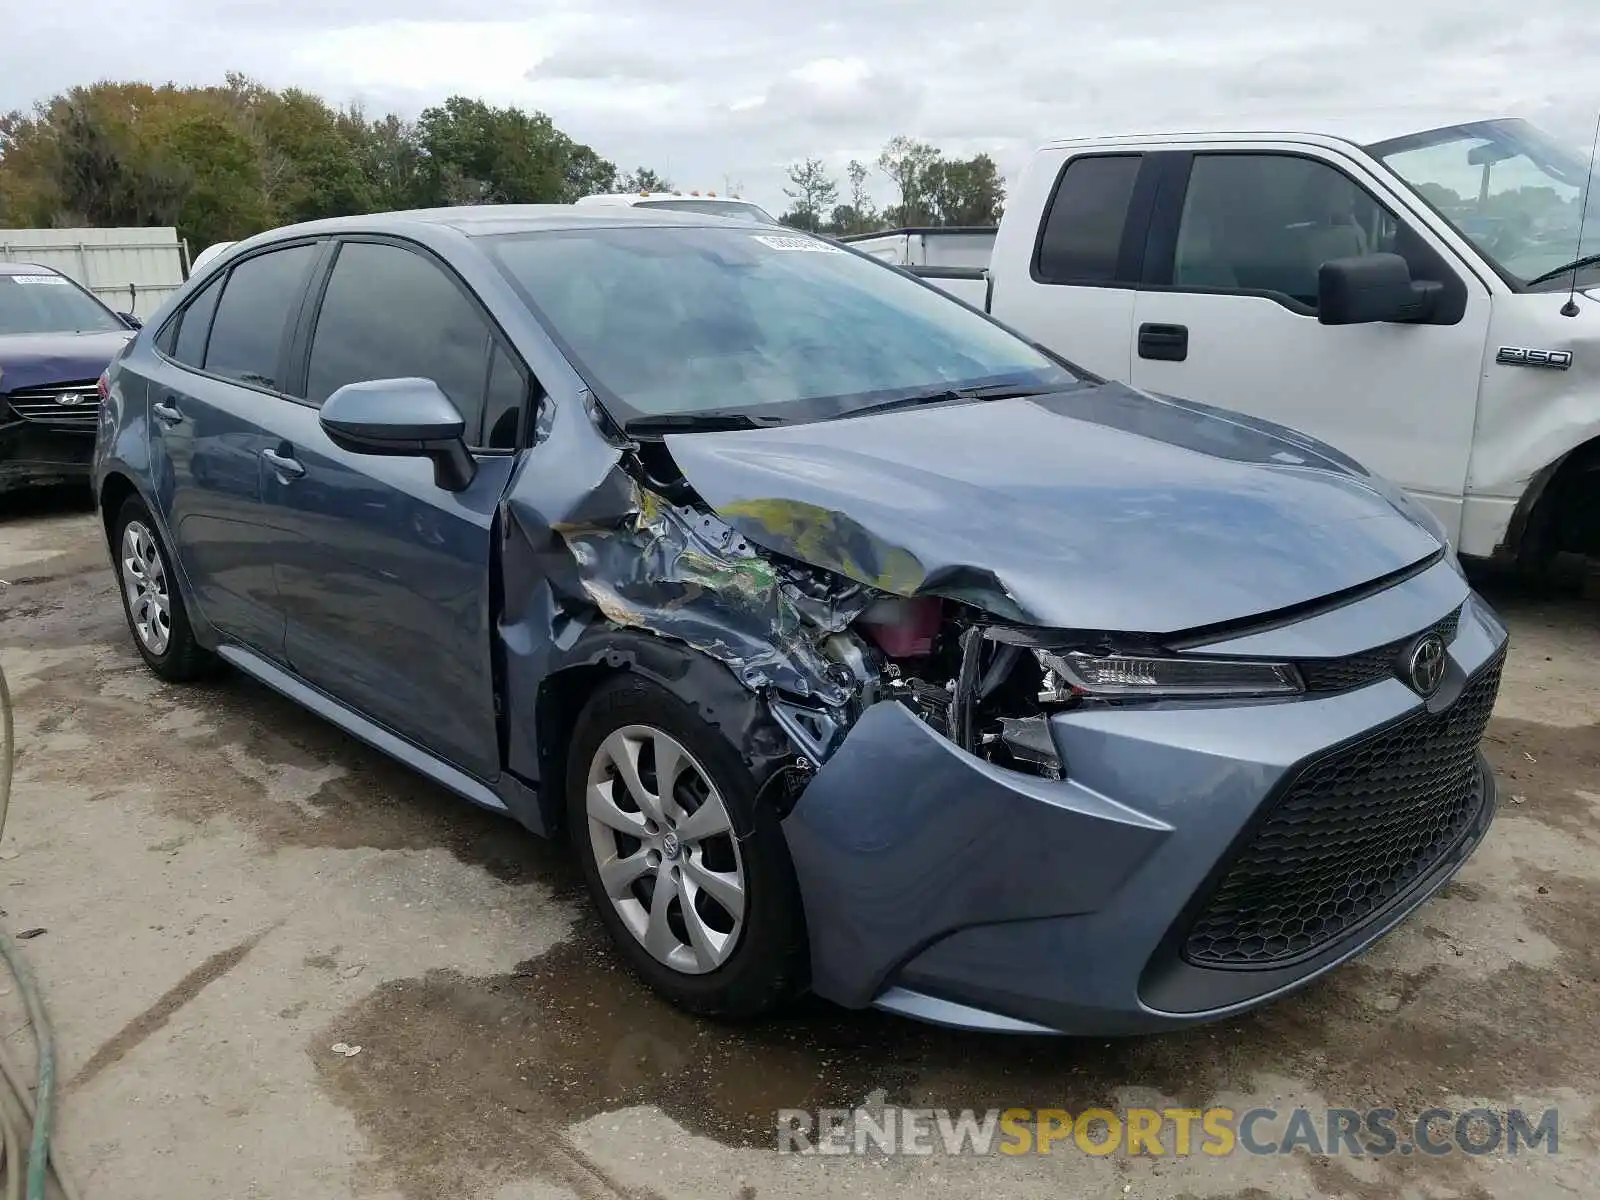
[[1084, 225]]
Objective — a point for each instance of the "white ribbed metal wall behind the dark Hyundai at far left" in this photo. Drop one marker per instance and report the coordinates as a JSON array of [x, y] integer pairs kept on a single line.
[[130, 270]]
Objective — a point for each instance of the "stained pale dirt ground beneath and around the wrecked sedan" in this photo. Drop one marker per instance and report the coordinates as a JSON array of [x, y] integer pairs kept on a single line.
[[230, 887]]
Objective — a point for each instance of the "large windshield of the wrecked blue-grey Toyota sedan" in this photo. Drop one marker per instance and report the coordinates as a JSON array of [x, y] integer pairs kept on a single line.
[[698, 319]]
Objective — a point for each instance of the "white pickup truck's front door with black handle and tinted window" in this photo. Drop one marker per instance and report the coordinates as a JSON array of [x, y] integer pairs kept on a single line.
[[1226, 313]]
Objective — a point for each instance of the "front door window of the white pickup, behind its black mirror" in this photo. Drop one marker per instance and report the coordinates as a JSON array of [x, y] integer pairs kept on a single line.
[[1270, 222]]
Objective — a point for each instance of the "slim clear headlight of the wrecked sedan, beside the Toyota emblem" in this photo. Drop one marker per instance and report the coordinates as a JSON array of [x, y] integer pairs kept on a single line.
[[1130, 676]]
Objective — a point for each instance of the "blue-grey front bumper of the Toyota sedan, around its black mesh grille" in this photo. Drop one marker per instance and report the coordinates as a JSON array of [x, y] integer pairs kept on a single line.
[[958, 892]]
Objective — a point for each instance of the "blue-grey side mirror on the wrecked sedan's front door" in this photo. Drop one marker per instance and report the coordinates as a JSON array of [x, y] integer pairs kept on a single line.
[[402, 418]]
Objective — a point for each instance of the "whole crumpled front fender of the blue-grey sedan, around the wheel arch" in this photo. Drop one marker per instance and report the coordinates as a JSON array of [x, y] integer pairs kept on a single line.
[[601, 572]]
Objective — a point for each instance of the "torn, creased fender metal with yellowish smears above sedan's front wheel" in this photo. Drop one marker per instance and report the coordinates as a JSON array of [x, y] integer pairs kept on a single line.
[[690, 577]]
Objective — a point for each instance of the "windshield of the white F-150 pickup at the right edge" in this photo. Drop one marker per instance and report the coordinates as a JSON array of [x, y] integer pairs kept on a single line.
[[1506, 186]]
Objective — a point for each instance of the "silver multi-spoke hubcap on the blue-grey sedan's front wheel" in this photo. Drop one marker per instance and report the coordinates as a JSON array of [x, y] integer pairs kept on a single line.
[[666, 850]]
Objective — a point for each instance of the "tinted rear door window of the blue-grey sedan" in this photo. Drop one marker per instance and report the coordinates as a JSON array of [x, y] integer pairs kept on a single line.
[[260, 298]]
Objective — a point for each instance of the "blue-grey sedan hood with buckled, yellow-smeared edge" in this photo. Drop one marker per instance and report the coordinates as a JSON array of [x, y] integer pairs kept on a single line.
[[1097, 508]]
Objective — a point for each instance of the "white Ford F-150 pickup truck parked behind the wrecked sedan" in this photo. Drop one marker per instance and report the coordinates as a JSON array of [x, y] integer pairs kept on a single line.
[[1404, 298]]
